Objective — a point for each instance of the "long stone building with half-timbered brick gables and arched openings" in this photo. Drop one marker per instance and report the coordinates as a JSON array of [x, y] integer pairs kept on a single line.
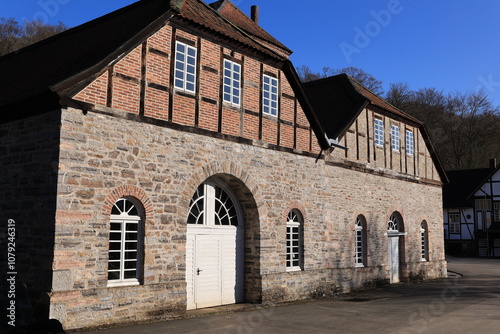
[[165, 157]]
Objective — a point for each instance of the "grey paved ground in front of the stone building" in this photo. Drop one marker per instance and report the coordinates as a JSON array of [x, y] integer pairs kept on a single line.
[[468, 304]]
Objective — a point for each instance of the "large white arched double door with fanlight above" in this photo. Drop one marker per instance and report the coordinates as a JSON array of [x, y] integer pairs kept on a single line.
[[215, 247]]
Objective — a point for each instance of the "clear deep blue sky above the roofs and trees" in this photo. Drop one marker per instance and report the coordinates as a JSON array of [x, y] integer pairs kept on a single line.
[[452, 45]]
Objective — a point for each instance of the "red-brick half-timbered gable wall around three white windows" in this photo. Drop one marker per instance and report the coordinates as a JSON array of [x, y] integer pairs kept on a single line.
[[203, 108]]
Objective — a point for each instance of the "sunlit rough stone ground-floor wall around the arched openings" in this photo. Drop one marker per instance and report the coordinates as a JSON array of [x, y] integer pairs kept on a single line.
[[165, 167]]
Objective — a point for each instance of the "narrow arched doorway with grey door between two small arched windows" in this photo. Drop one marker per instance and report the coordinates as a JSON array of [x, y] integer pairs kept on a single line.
[[395, 233]]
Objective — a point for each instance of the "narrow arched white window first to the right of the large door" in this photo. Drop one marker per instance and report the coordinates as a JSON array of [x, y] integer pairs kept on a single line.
[[294, 259]]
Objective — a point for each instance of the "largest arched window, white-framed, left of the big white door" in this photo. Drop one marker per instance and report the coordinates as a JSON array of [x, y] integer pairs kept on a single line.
[[125, 244]]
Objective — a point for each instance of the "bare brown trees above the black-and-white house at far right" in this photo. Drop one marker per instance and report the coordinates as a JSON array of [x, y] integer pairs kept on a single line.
[[464, 127]]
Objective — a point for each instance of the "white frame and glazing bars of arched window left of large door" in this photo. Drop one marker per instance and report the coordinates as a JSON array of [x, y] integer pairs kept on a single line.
[[124, 219]]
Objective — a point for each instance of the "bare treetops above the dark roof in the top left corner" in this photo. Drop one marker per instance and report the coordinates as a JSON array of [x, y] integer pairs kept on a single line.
[[14, 36]]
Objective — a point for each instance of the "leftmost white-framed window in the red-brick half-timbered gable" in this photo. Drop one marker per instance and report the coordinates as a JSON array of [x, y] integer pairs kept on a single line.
[[185, 67]]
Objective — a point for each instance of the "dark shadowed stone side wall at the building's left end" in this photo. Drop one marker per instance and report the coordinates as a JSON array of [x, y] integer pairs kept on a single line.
[[29, 151]]
